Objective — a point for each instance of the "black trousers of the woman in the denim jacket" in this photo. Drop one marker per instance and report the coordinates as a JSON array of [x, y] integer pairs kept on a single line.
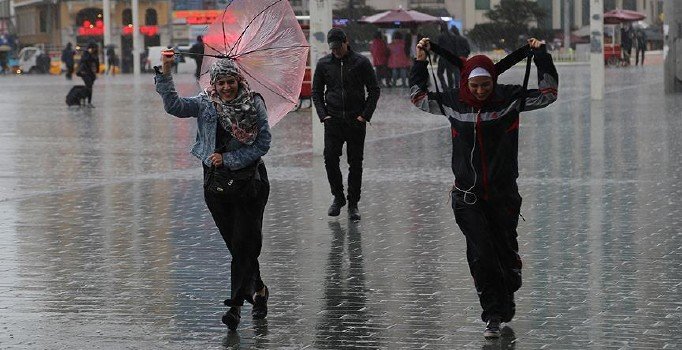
[[240, 223]]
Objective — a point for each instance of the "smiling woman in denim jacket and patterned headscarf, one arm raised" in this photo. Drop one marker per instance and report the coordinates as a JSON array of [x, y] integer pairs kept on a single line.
[[232, 135]]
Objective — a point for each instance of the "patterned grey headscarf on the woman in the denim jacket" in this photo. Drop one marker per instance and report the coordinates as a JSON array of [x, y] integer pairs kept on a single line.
[[238, 116]]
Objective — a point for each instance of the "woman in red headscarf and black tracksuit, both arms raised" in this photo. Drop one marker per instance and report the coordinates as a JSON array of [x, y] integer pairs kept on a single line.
[[484, 119]]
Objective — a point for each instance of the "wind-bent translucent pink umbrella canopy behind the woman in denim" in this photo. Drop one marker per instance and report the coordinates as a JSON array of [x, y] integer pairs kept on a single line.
[[267, 44]]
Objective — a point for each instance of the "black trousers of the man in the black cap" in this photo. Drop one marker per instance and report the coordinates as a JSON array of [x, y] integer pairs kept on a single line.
[[352, 132]]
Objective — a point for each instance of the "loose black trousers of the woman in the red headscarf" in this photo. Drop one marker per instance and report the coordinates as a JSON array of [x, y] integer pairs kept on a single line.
[[492, 250]]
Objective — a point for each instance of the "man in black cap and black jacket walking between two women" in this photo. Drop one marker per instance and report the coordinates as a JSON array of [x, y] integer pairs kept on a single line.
[[345, 93]]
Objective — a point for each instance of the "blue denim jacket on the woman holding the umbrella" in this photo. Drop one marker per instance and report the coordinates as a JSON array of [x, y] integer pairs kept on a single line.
[[237, 155]]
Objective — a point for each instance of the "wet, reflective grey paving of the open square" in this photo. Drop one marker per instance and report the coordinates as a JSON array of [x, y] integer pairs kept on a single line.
[[105, 241]]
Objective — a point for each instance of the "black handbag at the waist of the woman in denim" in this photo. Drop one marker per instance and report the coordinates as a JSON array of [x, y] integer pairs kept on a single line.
[[234, 184]]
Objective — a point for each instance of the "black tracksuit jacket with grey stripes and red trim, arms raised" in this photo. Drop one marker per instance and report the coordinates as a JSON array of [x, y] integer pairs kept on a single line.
[[485, 141]]
